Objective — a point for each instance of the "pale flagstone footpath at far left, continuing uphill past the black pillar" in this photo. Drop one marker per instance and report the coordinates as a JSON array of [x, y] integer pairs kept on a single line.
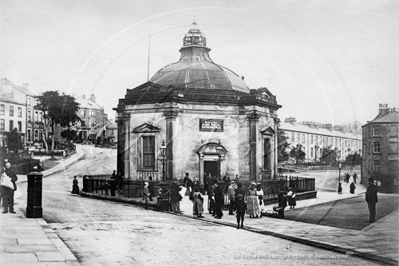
[[31, 241]]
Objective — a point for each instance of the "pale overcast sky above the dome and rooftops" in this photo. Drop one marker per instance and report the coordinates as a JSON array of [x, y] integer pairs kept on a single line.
[[326, 61]]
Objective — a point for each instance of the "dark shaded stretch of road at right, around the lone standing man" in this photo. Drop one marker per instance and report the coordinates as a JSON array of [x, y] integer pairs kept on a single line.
[[349, 213]]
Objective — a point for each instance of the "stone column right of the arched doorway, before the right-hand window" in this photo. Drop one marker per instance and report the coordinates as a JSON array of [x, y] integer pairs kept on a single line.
[[253, 136]]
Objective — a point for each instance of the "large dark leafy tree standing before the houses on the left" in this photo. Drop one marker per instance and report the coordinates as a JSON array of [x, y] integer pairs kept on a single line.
[[57, 110]]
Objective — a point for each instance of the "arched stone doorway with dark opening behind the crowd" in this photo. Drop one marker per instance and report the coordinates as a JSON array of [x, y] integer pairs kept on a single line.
[[211, 165]]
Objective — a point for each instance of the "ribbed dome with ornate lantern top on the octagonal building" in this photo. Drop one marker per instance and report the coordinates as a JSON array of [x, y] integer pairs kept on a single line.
[[195, 69]]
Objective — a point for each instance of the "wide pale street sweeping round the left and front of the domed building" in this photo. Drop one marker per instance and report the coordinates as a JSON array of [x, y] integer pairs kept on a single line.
[[105, 233]]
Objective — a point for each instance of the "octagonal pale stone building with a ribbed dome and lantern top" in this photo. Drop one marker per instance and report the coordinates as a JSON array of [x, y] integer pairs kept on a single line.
[[195, 116]]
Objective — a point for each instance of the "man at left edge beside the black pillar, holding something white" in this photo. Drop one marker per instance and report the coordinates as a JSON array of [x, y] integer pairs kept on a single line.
[[8, 186]]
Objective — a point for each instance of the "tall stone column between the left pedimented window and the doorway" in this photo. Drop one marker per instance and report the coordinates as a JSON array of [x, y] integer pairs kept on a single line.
[[170, 125]]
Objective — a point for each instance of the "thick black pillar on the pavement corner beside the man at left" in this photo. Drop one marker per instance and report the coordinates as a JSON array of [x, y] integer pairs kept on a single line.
[[34, 205]]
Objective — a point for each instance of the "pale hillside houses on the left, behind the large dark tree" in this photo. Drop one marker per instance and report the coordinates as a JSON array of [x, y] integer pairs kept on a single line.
[[17, 111]]
